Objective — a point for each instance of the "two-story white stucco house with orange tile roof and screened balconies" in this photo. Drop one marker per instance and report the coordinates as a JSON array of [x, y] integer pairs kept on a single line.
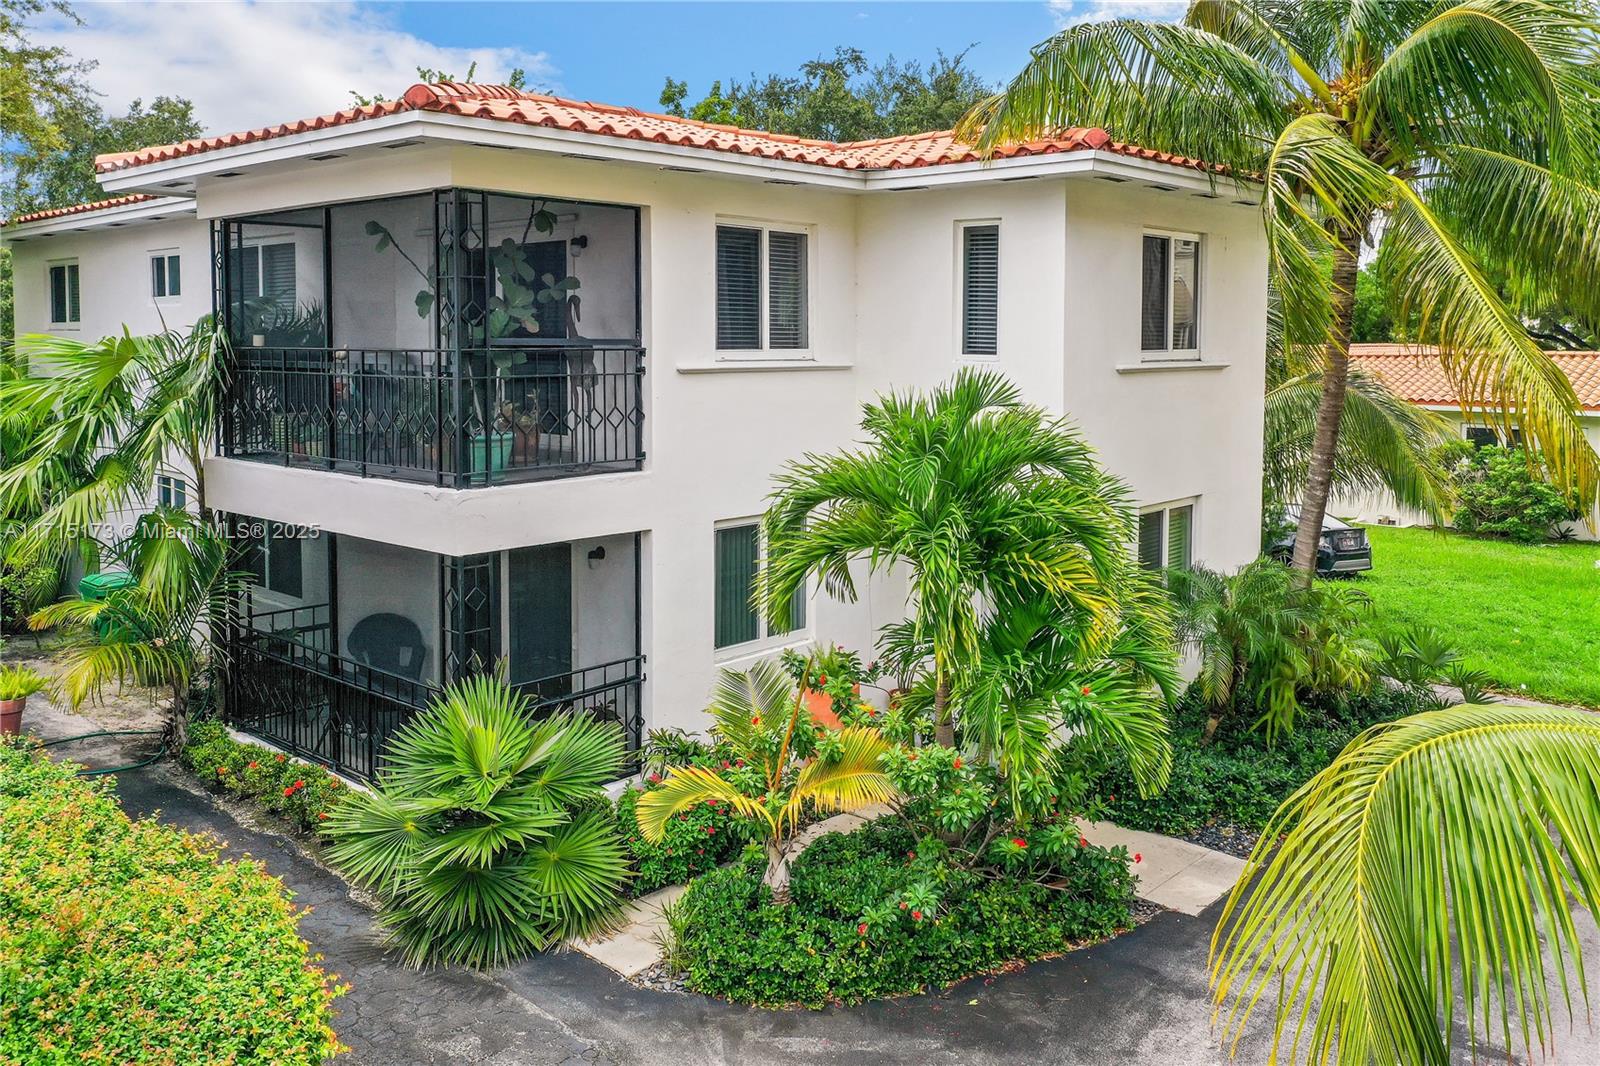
[[514, 374]]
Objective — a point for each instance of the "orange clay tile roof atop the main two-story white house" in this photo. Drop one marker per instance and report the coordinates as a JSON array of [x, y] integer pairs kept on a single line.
[[508, 105]]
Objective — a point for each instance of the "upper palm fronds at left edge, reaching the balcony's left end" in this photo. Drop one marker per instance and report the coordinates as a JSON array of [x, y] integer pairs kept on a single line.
[[95, 430]]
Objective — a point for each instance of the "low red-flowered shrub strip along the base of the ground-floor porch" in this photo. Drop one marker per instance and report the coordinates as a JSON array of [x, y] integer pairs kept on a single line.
[[295, 790]]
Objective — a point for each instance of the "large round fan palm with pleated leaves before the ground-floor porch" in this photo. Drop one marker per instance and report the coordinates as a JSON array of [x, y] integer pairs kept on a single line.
[[487, 836]]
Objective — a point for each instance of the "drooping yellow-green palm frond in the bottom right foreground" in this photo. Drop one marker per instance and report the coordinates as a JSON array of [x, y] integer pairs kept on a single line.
[[1436, 860]]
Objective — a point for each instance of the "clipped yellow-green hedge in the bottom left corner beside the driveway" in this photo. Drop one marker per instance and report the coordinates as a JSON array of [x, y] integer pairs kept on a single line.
[[132, 942]]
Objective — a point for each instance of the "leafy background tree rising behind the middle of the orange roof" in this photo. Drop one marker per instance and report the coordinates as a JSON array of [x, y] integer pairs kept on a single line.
[[841, 98]]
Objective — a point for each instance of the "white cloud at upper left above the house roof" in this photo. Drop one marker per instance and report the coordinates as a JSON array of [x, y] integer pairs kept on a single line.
[[254, 65]]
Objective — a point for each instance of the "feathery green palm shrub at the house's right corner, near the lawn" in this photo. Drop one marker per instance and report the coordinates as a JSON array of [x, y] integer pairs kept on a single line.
[[1262, 639]]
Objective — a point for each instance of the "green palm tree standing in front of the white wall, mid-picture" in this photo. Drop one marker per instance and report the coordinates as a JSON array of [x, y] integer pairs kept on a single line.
[[988, 503]]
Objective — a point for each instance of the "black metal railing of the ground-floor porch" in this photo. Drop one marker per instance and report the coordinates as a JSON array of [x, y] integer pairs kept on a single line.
[[342, 713]]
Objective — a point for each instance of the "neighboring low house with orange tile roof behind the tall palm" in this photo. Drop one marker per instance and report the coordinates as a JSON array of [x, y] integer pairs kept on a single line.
[[1417, 375]]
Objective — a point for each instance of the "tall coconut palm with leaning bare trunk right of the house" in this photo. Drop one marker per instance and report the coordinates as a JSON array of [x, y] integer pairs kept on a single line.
[[1470, 132]]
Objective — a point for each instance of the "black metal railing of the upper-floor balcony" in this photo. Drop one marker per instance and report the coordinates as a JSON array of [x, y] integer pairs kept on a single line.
[[436, 415]]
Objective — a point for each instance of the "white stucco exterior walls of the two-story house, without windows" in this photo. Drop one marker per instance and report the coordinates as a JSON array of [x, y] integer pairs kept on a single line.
[[882, 316]]
